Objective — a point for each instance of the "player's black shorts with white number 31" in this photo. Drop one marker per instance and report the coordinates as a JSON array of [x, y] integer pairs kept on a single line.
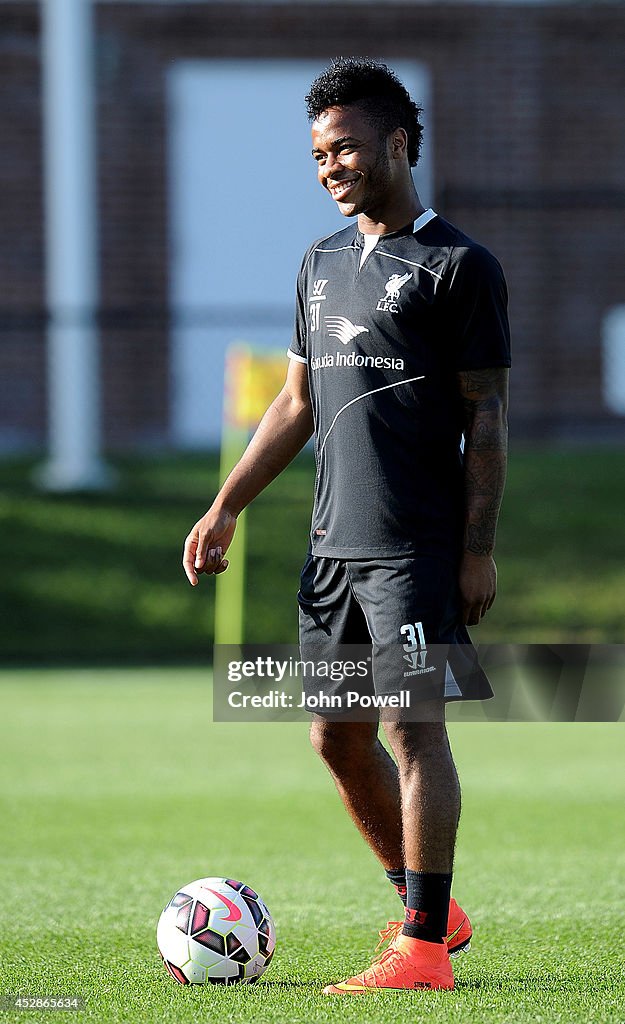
[[405, 613]]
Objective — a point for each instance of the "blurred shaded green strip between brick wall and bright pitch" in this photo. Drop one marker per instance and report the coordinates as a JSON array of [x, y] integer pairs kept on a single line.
[[98, 578]]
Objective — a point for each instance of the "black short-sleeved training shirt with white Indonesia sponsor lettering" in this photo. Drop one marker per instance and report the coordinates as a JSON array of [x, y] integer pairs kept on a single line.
[[384, 344]]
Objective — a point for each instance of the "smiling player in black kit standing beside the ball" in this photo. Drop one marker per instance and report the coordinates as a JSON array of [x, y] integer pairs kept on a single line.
[[399, 362]]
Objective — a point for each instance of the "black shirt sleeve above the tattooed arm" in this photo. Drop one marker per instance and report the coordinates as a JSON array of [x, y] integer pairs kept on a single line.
[[477, 303]]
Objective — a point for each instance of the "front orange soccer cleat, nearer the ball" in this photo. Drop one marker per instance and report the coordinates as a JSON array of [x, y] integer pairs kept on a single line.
[[408, 964]]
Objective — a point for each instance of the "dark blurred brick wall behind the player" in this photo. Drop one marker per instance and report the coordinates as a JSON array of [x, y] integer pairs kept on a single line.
[[529, 158]]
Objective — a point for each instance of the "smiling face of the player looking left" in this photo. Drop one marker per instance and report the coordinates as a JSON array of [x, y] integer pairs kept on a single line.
[[355, 163]]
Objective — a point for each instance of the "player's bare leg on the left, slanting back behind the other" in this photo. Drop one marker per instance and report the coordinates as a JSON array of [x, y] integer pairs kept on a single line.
[[366, 778]]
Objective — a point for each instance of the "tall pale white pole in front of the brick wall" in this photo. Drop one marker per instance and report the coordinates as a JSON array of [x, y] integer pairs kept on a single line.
[[72, 279]]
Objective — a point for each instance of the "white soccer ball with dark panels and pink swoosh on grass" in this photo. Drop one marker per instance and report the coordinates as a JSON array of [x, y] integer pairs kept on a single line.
[[216, 930]]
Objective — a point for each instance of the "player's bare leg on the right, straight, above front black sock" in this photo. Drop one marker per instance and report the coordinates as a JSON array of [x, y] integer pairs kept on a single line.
[[431, 792]]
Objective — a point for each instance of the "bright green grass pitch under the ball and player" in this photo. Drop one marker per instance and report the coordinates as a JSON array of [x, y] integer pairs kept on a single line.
[[116, 788]]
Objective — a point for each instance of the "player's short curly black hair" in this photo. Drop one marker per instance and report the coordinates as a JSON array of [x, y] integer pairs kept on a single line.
[[377, 90]]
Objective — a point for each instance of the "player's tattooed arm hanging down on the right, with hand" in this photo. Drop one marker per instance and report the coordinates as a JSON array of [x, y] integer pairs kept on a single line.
[[485, 398]]
